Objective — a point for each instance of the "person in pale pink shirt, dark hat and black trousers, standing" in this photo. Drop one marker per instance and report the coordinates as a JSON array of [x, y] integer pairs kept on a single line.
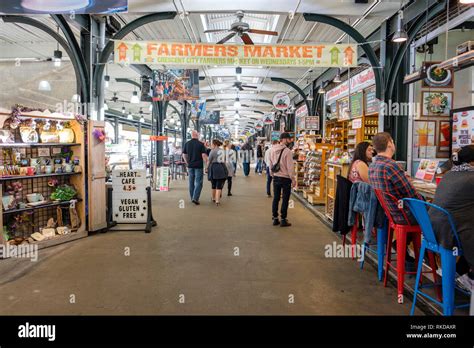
[[281, 166]]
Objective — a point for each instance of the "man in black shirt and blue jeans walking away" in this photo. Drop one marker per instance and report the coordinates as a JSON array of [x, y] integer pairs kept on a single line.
[[194, 154]]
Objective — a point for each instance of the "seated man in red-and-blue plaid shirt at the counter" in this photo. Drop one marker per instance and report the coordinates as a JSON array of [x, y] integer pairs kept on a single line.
[[386, 175]]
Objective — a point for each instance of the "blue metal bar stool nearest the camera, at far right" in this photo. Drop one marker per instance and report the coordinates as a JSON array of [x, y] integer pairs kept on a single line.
[[448, 257]]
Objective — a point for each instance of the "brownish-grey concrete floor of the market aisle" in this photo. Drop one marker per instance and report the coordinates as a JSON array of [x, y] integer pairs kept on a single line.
[[191, 253]]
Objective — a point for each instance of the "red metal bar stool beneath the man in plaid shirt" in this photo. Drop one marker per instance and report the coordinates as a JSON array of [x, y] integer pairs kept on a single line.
[[401, 232]]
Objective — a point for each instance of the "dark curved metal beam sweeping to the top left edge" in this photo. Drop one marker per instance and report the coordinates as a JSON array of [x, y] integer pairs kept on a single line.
[[81, 75]]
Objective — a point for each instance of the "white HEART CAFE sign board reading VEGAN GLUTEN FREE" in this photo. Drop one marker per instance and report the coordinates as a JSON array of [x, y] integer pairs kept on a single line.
[[129, 203]]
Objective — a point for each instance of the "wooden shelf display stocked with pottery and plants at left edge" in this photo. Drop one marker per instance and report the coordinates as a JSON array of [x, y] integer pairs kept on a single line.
[[42, 180]]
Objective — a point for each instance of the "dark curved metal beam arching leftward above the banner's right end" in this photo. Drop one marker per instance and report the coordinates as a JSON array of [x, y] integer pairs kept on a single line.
[[354, 34]]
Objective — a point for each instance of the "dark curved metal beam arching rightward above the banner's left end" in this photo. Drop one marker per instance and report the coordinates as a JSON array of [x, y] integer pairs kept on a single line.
[[109, 48]]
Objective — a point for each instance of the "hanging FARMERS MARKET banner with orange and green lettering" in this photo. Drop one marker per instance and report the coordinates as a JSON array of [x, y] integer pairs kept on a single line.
[[317, 55]]
